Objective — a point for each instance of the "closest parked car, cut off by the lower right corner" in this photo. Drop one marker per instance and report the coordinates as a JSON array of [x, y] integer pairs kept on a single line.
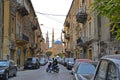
[[108, 68]]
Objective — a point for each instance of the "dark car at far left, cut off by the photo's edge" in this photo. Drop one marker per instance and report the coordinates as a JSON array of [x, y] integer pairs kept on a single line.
[[7, 68]]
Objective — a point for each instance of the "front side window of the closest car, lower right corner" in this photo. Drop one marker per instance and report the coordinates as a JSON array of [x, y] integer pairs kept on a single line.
[[101, 71]]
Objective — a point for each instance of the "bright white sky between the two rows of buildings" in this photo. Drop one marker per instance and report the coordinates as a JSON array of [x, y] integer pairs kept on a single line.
[[51, 15]]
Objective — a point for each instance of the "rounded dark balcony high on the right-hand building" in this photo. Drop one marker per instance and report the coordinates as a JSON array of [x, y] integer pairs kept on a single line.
[[81, 16]]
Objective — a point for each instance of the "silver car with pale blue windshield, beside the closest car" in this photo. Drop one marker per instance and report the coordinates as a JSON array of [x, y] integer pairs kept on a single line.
[[83, 71]]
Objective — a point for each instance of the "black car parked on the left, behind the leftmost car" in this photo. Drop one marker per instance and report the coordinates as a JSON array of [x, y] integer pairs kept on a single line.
[[32, 63]]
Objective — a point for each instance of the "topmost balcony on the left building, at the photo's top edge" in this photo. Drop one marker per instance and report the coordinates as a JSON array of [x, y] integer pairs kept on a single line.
[[23, 7]]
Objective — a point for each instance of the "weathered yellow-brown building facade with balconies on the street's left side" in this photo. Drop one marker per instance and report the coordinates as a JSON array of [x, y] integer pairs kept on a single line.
[[21, 31]]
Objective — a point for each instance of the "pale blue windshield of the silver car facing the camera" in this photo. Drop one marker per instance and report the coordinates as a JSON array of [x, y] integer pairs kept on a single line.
[[86, 68]]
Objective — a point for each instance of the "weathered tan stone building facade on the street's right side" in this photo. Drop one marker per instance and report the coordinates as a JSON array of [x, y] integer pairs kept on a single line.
[[88, 35]]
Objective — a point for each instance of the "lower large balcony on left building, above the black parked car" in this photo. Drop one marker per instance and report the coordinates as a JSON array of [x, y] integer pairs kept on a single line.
[[22, 39]]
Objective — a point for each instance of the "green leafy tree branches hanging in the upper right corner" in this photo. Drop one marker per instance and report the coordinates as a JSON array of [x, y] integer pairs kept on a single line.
[[111, 10]]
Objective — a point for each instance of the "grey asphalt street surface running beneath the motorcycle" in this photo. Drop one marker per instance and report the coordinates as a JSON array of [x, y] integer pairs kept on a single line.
[[41, 74]]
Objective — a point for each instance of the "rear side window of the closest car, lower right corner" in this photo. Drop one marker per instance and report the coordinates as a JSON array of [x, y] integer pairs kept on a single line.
[[112, 72]]
